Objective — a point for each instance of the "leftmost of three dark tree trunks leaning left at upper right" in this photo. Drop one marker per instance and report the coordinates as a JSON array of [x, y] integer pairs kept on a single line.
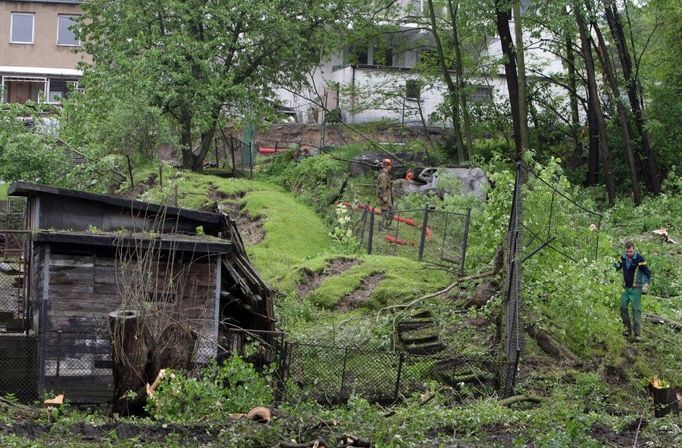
[[595, 102]]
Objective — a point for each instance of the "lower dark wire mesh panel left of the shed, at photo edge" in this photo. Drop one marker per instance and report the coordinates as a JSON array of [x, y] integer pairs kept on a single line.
[[19, 366]]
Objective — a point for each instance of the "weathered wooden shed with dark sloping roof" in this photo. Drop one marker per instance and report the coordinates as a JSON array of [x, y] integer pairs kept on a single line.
[[89, 254]]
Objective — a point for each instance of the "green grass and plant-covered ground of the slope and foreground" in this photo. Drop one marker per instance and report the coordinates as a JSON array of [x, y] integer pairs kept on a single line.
[[299, 244]]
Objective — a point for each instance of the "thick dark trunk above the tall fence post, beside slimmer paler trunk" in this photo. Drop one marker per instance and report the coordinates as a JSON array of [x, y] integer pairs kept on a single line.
[[502, 10]]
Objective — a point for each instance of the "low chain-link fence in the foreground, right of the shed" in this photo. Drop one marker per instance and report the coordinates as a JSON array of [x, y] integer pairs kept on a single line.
[[332, 374]]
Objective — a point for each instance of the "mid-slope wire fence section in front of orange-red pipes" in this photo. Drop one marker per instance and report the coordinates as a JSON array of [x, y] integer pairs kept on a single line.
[[433, 236]]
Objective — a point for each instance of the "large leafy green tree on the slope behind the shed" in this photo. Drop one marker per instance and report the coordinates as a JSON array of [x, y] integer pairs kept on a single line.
[[198, 59]]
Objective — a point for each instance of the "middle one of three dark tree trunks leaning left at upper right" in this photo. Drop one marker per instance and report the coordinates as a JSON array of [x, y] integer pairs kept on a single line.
[[614, 94]]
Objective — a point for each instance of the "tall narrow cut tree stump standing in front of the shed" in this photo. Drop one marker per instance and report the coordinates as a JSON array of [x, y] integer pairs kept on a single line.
[[129, 355]]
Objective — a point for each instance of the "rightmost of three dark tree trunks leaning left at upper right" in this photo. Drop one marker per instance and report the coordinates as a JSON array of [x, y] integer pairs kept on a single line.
[[653, 174]]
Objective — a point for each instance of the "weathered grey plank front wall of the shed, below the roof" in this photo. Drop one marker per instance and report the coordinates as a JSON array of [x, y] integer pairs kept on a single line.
[[83, 289]]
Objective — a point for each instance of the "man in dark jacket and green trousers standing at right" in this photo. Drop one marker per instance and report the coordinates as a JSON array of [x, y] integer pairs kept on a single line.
[[636, 279]]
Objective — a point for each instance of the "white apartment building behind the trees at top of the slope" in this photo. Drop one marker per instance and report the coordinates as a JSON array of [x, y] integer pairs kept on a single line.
[[378, 82]]
